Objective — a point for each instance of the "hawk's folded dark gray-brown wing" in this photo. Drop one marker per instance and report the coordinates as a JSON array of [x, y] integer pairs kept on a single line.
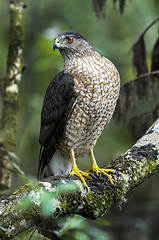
[[58, 103]]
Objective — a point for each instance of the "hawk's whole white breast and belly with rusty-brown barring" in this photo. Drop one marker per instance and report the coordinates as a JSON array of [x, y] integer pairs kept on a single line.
[[97, 85]]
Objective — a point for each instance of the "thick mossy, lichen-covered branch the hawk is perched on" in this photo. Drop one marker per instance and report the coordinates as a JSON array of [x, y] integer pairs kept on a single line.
[[40, 203]]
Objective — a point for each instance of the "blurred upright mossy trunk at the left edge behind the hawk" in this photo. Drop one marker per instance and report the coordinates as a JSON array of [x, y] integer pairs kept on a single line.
[[9, 87]]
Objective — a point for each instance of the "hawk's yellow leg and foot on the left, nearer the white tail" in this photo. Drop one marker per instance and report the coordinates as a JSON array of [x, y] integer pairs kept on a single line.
[[76, 171]]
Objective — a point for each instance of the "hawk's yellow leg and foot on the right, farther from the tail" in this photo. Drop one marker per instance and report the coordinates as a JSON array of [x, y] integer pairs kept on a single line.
[[97, 170]]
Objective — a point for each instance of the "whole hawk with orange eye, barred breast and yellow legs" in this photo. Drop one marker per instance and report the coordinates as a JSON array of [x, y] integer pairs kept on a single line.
[[78, 105]]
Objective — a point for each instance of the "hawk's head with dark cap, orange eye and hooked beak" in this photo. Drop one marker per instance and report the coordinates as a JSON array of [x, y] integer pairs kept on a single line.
[[71, 43]]
